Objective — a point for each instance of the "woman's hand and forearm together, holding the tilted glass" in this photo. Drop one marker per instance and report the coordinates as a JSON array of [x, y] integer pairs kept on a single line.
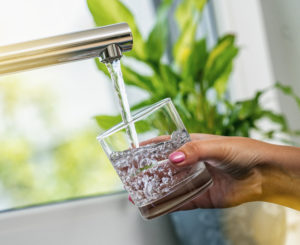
[[243, 170]]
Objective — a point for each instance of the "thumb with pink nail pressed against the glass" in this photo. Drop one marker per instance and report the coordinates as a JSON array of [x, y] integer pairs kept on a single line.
[[198, 150]]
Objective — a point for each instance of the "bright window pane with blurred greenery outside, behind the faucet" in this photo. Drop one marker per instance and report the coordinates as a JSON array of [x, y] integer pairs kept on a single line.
[[48, 147]]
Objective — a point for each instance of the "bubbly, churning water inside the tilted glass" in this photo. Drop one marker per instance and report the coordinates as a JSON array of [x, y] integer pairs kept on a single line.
[[146, 171]]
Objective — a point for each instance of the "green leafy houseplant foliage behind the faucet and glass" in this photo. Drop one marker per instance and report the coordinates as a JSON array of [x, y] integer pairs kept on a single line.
[[195, 78]]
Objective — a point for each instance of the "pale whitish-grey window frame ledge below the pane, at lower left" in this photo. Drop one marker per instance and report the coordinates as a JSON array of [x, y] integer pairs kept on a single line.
[[108, 219]]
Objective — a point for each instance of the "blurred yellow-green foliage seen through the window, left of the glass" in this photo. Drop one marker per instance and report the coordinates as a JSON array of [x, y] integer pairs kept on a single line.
[[39, 161]]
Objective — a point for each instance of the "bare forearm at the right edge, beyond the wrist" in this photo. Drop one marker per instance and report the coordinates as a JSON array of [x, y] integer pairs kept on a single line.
[[281, 172]]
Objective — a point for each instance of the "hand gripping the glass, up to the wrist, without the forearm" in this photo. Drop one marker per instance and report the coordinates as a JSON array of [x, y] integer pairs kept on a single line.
[[235, 166]]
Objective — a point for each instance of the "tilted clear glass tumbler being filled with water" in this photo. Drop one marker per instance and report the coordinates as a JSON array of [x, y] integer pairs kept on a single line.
[[155, 184]]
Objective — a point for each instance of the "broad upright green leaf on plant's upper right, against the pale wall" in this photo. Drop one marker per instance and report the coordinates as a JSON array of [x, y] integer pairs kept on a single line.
[[219, 59]]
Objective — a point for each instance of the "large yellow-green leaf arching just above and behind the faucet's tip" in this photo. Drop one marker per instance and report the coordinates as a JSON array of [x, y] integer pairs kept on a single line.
[[112, 12]]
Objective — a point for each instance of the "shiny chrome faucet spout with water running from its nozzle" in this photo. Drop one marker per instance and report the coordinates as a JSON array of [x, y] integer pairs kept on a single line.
[[108, 43]]
